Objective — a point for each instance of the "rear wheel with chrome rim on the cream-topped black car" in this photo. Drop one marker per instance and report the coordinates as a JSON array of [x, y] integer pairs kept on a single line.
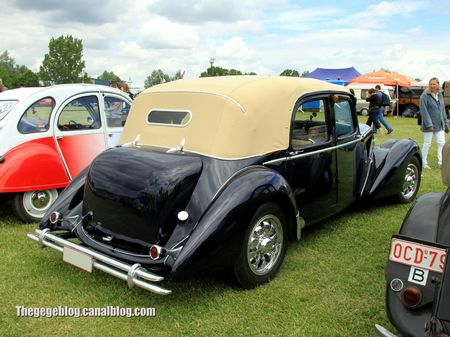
[[258, 262]]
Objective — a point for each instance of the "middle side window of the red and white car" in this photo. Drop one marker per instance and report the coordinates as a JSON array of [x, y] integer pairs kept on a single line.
[[82, 113]]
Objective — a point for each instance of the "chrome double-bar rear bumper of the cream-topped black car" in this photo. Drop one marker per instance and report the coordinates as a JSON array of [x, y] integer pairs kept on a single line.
[[134, 274]]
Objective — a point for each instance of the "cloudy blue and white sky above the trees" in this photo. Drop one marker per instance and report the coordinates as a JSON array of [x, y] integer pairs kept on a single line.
[[133, 38]]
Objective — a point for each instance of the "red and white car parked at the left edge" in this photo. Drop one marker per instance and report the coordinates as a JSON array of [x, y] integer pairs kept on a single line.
[[49, 134]]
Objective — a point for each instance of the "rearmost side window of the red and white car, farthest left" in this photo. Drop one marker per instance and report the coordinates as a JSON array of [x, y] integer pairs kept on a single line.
[[37, 117]]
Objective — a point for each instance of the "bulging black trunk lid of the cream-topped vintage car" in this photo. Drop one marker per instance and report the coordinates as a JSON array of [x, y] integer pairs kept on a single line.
[[135, 195]]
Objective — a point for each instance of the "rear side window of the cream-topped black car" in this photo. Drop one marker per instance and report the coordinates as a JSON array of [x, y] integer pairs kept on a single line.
[[309, 125]]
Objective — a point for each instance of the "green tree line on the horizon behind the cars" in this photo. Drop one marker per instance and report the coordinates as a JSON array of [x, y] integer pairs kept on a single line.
[[64, 64]]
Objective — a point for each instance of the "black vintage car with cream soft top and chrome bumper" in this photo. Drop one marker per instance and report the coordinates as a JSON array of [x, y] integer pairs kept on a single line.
[[218, 173]]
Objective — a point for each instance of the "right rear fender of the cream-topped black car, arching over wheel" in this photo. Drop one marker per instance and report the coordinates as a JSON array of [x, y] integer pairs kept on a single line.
[[217, 237]]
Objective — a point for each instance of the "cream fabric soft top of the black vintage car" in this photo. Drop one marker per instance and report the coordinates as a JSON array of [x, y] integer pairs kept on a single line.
[[232, 117]]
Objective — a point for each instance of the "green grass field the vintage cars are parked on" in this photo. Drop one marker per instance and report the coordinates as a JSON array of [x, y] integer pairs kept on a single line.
[[331, 282]]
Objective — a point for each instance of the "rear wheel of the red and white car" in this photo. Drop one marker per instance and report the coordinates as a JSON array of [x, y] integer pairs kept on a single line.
[[31, 206]]
